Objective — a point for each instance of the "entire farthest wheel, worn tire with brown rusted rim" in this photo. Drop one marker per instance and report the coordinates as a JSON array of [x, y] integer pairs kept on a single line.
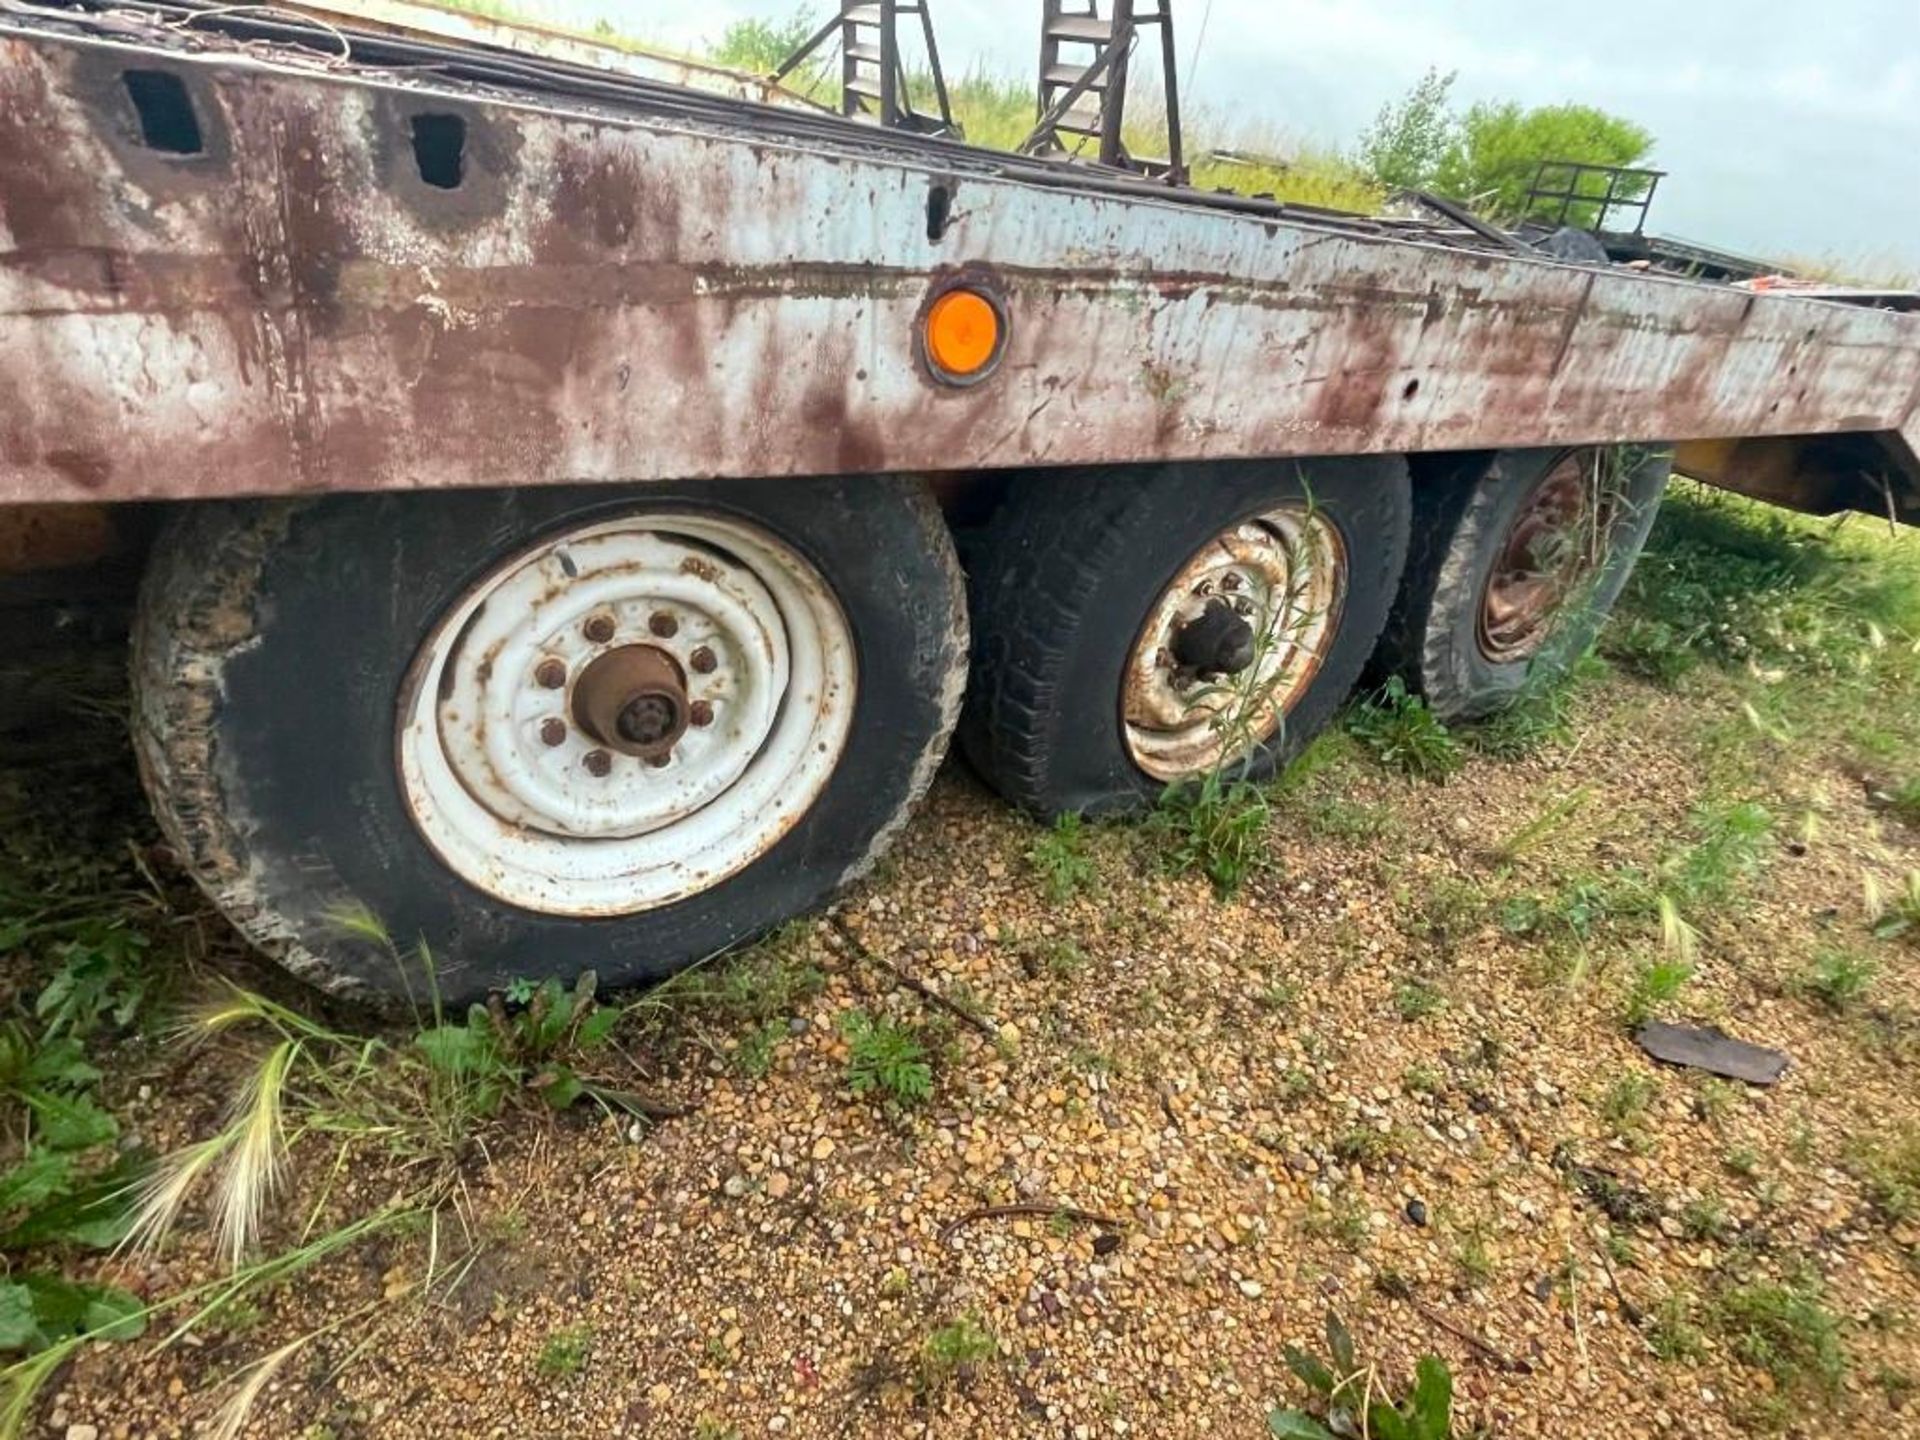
[[1497, 600]]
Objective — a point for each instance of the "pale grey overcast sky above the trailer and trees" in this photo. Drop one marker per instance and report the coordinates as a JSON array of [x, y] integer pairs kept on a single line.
[[1787, 130]]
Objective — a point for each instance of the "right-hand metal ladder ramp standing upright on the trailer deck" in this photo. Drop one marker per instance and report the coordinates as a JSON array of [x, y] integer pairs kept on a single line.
[[1084, 84]]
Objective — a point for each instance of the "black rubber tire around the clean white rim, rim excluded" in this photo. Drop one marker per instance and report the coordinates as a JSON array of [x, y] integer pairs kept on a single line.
[[274, 640]]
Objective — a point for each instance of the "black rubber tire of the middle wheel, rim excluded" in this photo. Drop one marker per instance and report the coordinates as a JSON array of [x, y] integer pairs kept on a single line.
[[1065, 573]]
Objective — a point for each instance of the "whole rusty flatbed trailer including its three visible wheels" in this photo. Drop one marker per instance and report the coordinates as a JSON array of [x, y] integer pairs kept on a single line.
[[550, 554]]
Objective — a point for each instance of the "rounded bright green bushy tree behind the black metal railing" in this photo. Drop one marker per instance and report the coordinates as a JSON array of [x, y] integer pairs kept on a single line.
[[1495, 153]]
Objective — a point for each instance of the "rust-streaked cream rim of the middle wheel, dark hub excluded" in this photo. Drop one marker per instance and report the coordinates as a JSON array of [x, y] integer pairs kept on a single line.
[[1285, 575]]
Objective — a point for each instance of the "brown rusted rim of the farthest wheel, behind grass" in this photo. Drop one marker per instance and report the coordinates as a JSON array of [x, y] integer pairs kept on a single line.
[[1550, 550]]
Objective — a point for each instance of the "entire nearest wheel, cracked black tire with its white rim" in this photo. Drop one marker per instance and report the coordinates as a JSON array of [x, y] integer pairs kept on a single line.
[[299, 667]]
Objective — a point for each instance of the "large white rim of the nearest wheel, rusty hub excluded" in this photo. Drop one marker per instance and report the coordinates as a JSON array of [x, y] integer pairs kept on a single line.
[[565, 825]]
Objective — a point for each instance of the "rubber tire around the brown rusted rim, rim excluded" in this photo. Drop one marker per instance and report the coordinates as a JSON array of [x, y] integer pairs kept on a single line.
[[1464, 510]]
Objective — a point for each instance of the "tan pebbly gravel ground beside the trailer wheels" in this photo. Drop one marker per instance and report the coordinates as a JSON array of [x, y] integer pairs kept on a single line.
[[1349, 1088]]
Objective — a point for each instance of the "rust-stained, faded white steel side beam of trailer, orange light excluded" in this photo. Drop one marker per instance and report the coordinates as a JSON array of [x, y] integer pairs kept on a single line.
[[623, 297]]
